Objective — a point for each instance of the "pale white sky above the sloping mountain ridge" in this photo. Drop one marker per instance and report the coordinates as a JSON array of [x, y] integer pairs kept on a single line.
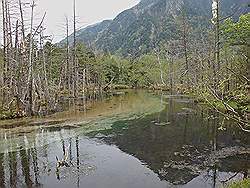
[[88, 12]]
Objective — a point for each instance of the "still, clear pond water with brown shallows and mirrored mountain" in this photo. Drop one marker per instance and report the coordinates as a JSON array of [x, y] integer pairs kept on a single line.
[[132, 140]]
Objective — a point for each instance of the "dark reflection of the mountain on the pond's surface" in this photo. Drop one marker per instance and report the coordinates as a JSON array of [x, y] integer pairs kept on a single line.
[[177, 143]]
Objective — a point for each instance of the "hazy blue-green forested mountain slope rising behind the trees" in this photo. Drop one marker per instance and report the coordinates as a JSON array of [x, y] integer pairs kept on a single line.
[[137, 30]]
